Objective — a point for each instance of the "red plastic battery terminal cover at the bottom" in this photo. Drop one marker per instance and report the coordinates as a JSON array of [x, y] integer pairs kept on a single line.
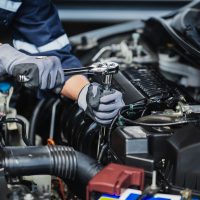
[[115, 177]]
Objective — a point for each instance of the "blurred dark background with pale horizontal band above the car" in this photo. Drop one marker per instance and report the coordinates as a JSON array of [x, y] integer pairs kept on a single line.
[[83, 15]]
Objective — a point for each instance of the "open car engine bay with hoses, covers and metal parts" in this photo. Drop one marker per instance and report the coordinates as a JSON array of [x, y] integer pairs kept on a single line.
[[50, 149]]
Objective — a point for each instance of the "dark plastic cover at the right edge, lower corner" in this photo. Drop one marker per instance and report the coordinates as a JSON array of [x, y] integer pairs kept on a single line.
[[184, 159]]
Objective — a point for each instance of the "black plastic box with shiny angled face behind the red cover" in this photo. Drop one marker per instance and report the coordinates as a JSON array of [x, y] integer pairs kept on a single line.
[[139, 147]]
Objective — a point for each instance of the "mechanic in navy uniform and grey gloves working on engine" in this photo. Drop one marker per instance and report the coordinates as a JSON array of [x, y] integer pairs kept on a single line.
[[39, 40]]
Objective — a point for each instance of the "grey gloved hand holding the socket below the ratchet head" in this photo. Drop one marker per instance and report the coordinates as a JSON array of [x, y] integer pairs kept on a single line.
[[100, 105]]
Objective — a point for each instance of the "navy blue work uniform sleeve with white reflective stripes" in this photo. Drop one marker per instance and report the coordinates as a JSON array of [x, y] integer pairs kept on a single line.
[[37, 29]]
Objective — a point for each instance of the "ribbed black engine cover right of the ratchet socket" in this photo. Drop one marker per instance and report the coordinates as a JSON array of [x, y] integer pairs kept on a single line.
[[143, 82]]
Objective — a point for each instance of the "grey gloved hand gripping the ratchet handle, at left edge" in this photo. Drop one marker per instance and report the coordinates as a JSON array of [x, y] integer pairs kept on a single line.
[[42, 72]]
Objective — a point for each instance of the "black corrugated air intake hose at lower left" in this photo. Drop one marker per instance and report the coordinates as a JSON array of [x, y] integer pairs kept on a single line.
[[60, 161]]
